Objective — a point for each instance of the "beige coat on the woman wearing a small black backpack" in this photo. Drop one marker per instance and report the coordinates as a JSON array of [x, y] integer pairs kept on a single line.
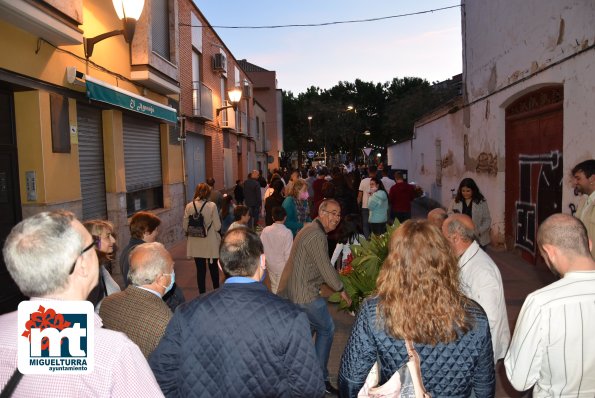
[[204, 247]]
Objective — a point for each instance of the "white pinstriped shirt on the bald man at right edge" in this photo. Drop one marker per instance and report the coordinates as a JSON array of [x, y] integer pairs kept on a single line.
[[553, 346]]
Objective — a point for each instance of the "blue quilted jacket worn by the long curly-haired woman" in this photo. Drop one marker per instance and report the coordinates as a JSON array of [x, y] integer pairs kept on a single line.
[[448, 370]]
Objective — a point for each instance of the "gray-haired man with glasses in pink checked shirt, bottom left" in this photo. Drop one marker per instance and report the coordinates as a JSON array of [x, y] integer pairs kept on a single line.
[[51, 258]]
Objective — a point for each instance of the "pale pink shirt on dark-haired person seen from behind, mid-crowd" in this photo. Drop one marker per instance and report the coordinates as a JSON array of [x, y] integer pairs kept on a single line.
[[277, 240]]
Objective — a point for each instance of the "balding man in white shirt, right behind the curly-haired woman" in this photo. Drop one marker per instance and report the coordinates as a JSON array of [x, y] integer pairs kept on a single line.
[[480, 278]]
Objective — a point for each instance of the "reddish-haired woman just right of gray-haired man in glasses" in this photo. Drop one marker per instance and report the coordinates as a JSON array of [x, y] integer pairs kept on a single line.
[[105, 245]]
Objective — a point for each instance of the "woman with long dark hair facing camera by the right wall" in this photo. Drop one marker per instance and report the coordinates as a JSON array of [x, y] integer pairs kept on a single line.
[[471, 202]]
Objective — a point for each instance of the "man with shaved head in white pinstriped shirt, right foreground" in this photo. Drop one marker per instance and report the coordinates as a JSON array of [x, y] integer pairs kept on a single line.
[[553, 347]]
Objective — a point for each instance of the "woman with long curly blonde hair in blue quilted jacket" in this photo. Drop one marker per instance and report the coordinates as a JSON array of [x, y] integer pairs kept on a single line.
[[419, 299]]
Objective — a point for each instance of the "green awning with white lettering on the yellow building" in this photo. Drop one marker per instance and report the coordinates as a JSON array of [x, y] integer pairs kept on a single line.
[[100, 91]]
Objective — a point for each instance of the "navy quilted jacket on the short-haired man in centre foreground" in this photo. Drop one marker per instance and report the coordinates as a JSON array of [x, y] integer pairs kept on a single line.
[[238, 341]]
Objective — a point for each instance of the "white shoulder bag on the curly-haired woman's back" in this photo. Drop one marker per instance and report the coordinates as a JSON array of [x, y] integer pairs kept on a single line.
[[405, 383]]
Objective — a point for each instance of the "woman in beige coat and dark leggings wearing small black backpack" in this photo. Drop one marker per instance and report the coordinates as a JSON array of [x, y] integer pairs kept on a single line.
[[204, 250]]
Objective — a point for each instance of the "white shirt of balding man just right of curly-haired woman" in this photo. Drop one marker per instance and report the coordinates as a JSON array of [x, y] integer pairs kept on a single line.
[[482, 282]]
